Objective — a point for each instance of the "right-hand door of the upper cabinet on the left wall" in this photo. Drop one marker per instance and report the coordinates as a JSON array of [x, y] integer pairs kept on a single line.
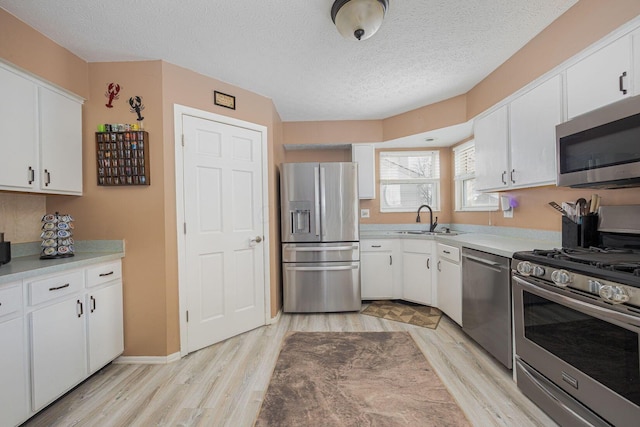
[[60, 143]]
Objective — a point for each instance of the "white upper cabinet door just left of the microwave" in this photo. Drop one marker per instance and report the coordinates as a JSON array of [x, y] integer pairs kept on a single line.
[[532, 131]]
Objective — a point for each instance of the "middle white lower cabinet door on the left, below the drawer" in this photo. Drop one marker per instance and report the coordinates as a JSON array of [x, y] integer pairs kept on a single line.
[[58, 349]]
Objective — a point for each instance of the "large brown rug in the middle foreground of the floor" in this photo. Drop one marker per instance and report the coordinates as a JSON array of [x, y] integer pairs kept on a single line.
[[355, 379]]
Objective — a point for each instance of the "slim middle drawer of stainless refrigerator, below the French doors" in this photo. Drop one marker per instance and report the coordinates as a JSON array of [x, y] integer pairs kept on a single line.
[[321, 252]]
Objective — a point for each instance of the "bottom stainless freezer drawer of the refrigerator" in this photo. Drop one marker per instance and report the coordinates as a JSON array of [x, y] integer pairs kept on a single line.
[[321, 287]]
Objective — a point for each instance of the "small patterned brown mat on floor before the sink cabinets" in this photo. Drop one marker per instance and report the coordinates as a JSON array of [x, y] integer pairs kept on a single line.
[[415, 314]]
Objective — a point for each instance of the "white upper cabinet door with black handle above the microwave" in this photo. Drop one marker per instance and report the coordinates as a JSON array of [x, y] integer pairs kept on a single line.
[[601, 78]]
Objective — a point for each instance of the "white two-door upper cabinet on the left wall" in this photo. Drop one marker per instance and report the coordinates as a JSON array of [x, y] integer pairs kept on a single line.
[[41, 127]]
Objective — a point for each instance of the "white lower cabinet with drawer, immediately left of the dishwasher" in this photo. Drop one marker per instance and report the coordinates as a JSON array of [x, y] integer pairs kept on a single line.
[[450, 282]]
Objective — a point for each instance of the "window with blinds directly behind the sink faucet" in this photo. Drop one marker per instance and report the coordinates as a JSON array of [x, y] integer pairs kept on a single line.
[[409, 179]]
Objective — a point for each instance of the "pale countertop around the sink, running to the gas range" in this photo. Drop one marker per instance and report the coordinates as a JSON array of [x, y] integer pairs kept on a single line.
[[499, 245]]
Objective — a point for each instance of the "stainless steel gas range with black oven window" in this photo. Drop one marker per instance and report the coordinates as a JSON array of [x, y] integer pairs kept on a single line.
[[577, 326]]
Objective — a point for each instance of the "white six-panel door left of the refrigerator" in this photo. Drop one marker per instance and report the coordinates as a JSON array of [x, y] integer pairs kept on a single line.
[[223, 216]]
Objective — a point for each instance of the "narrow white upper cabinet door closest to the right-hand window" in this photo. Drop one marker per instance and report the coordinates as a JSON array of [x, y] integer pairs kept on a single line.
[[492, 150]]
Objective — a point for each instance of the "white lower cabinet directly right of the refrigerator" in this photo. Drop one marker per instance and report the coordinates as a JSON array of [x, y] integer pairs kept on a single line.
[[377, 268]]
